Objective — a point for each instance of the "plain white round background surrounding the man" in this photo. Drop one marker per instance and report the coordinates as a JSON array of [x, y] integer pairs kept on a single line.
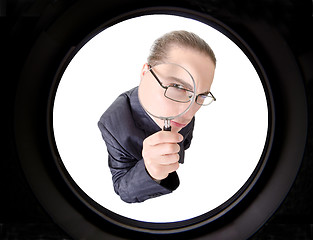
[[229, 134]]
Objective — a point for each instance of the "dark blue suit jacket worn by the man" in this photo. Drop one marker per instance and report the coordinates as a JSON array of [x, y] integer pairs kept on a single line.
[[124, 126]]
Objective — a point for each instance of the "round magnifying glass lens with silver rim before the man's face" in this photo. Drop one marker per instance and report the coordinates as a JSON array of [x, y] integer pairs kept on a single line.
[[166, 92]]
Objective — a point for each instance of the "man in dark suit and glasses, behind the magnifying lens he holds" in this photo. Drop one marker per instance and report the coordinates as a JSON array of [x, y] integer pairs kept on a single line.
[[143, 159]]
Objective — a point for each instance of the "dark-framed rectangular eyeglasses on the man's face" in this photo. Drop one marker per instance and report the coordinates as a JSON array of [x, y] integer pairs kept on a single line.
[[180, 93]]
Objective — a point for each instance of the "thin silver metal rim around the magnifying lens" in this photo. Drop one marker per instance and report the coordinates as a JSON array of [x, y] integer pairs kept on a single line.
[[167, 120]]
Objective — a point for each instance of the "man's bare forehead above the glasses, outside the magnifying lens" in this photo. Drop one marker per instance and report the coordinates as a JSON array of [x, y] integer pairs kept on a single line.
[[199, 64]]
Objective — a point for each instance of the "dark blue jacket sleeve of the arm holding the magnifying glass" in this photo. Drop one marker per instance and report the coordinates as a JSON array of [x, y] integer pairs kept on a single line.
[[131, 181]]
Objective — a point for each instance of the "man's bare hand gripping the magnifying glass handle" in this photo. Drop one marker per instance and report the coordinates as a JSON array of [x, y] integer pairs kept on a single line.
[[160, 153]]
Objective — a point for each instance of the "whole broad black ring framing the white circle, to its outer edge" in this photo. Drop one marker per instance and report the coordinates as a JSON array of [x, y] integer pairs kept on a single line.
[[80, 217]]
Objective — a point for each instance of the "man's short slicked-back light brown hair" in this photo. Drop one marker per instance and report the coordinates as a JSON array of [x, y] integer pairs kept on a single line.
[[160, 47]]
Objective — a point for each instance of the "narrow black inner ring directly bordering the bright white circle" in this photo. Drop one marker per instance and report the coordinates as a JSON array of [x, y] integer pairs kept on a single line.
[[195, 222]]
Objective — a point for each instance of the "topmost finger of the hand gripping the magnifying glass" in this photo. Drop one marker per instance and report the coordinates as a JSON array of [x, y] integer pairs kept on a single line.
[[164, 137]]
